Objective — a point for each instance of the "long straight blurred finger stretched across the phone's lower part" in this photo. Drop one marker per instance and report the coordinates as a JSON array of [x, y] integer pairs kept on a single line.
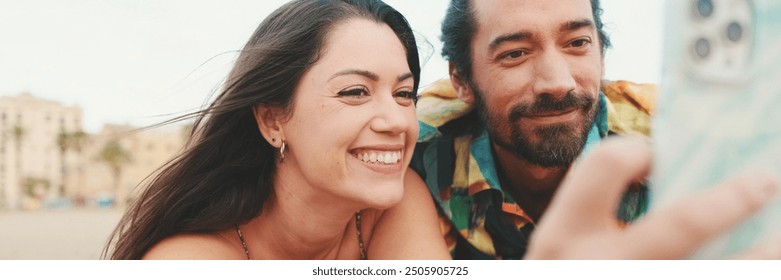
[[676, 231]]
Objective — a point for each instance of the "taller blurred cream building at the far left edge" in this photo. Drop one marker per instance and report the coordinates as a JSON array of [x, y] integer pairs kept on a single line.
[[31, 162]]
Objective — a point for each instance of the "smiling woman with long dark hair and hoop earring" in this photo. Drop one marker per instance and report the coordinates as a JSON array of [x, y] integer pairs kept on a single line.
[[305, 152]]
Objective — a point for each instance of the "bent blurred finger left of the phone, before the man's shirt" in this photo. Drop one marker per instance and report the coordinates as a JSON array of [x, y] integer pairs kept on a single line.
[[591, 192]]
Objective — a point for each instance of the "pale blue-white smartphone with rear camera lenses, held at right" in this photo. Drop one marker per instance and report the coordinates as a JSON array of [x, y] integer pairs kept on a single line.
[[719, 109]]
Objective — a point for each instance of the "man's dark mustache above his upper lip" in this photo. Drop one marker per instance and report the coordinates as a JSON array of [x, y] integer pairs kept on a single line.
[[546, 104]]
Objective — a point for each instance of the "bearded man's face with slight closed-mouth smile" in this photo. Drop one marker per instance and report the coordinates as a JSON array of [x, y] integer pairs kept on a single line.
[[536, 73]]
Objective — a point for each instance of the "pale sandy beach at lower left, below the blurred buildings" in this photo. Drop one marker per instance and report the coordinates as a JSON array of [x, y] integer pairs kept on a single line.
[[73, 234]]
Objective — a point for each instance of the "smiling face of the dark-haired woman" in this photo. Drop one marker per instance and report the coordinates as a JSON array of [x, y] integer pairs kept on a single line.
[[353, 126]]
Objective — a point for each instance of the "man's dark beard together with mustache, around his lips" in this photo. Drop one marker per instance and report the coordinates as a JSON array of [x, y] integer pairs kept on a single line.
[[559, 145]]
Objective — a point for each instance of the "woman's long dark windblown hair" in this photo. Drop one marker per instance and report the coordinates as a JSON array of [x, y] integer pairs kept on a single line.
[[225, 173]]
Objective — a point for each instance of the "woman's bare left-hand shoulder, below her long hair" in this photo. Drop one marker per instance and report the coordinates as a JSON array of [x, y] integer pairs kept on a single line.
[[198, 246]]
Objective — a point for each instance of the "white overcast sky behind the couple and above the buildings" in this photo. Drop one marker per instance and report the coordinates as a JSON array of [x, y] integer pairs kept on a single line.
[[131, 62]]
